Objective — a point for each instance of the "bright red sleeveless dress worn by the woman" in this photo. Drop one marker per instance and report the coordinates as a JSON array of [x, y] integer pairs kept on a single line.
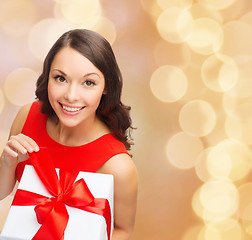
[[89, 157]]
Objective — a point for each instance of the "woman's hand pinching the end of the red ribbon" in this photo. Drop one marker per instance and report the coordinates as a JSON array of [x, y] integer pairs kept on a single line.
[[18, 148]]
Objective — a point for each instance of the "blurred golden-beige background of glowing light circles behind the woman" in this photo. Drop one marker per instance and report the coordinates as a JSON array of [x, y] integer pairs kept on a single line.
[[187, 68]]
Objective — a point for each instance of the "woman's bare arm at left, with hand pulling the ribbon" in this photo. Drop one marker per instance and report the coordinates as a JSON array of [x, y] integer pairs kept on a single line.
[[15, 151]]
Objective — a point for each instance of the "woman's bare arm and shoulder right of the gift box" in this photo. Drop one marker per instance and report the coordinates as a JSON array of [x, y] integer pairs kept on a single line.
[[125, 194]]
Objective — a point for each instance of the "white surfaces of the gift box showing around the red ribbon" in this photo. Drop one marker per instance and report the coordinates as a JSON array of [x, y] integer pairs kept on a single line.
[[21, 223]]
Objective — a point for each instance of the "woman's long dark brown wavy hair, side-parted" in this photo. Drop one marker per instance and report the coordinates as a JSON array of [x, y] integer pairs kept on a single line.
[[98, 50]]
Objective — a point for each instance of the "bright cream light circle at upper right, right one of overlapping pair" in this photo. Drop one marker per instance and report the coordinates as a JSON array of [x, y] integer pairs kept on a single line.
[[207, 36]]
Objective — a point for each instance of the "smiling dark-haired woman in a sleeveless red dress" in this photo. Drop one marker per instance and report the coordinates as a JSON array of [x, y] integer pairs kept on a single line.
[[80, 120]]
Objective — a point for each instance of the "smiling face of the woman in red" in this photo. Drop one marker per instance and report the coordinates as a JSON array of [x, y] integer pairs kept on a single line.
[[75, 87]]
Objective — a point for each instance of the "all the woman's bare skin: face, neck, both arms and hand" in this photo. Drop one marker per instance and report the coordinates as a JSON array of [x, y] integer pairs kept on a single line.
[[76, 83]]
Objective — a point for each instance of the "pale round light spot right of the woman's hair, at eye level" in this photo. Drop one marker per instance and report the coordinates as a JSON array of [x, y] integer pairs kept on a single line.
[[168, 83]]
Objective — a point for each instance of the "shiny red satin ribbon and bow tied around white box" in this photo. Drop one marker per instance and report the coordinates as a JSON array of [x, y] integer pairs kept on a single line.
[[51, 212]]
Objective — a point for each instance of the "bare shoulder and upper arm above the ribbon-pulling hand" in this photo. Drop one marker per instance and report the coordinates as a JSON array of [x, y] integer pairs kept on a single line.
[[19, 120]]
